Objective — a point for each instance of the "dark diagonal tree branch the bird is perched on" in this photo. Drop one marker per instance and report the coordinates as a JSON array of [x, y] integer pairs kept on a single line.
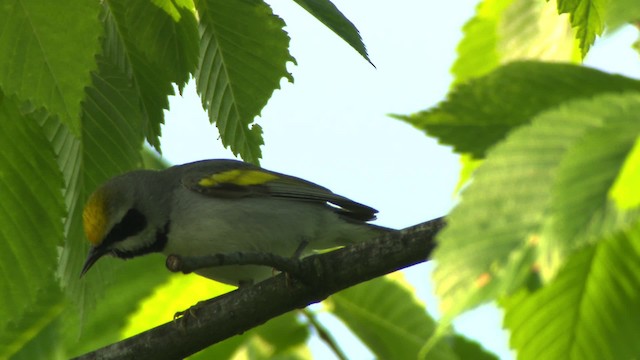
[[245, 308]]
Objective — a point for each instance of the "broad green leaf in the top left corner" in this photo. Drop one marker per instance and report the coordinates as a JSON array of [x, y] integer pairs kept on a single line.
[[46, 60]]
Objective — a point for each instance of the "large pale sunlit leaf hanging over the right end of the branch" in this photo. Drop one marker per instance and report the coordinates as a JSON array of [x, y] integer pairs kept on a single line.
[[492, 239]]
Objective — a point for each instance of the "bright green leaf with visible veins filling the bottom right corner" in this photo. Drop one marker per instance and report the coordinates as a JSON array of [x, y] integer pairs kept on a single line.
[[589, 311]]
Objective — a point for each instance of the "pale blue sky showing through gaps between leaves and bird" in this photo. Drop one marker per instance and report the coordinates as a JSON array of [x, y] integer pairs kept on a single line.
[[331, 127]]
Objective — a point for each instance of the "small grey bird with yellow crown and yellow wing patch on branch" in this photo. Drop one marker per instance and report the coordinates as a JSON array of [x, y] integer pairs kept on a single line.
[[216, 207]]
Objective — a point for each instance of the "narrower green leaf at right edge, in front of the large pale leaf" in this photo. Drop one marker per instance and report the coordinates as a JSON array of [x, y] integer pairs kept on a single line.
[[578, 213]]
